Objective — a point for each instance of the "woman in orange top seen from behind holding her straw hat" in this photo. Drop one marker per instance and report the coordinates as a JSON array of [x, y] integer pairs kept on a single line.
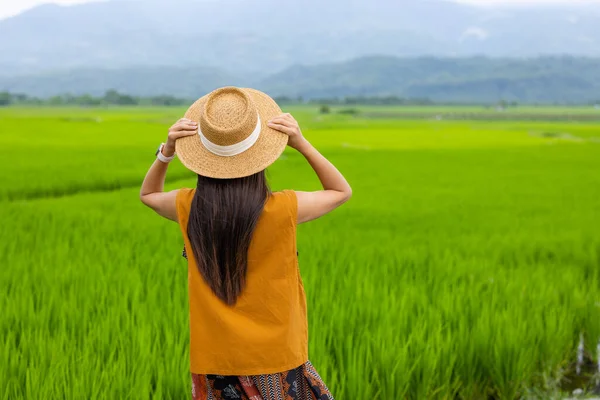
[[248, 325]]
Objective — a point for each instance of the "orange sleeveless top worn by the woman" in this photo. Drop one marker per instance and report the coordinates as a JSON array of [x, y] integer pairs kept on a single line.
[[266, 331]]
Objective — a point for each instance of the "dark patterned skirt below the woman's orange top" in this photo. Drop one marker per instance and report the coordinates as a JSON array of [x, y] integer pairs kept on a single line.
[[302, 383]]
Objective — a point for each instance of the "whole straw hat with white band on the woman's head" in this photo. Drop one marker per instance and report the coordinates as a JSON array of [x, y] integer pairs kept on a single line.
[[233, 138]]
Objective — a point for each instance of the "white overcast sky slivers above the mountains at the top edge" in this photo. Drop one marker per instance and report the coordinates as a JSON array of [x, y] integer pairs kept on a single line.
[[13, 7]]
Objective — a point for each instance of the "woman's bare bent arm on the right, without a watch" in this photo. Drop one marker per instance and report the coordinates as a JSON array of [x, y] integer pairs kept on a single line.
[[336, 190]]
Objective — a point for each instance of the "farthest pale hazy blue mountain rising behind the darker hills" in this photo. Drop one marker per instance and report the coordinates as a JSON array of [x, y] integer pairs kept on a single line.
[[257, 38]]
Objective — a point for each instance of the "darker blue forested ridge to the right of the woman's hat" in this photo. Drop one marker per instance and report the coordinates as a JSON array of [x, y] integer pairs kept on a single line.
[[545, 80]]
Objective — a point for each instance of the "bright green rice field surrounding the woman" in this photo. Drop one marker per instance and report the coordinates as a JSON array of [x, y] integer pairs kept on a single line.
[[466, 265]]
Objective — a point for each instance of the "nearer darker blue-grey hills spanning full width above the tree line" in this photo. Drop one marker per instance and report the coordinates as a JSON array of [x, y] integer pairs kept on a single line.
[[478, 79]]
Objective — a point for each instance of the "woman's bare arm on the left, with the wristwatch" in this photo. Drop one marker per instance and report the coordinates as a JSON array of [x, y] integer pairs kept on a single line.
[[151, 193]]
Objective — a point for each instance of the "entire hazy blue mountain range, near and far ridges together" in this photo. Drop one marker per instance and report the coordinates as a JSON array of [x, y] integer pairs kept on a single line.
[[435, 49]]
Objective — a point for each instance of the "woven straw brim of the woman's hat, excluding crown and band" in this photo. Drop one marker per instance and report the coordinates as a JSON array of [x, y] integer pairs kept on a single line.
[[267, 149]]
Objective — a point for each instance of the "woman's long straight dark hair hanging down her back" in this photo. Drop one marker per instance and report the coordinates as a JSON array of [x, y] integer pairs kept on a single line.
[[223, 216]]
